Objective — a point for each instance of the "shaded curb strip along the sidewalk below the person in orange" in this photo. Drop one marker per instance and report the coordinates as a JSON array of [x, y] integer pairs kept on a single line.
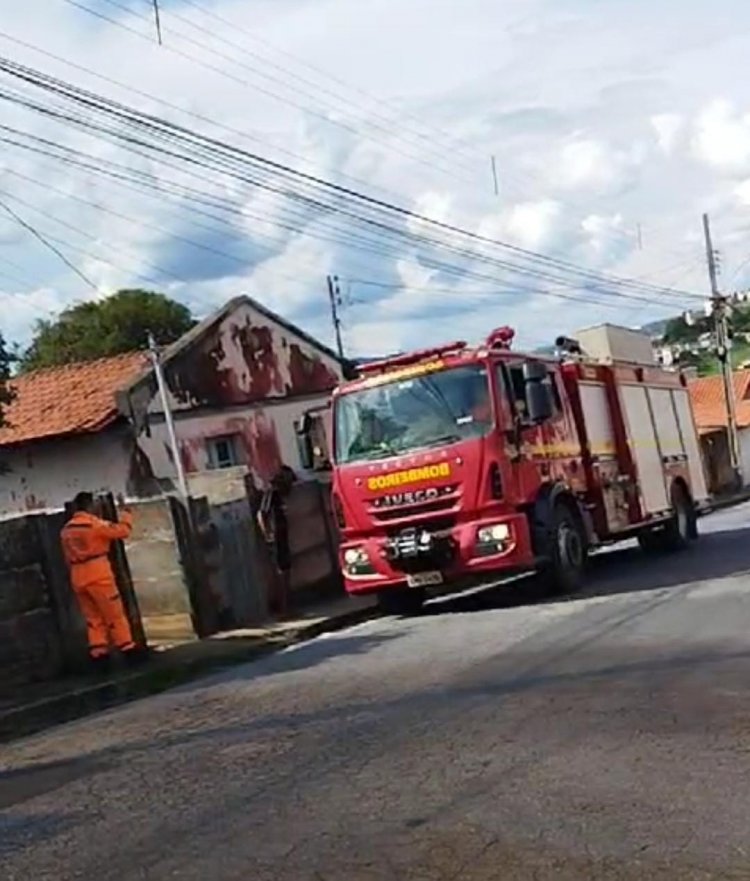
[[49, 712]]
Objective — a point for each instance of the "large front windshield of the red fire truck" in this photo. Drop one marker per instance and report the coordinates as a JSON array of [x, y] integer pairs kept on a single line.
[[410, 414]]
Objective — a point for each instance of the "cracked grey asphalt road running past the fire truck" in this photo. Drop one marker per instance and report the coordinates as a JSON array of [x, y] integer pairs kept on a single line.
[[500, 736]]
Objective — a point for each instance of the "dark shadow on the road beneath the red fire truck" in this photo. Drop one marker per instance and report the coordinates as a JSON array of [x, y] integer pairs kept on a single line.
[[618, 571]]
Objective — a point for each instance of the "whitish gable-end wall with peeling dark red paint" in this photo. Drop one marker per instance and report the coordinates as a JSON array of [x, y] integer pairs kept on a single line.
[[247, 377]]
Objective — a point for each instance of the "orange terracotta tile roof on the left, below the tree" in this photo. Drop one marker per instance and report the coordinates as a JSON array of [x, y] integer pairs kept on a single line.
[[74, 399]]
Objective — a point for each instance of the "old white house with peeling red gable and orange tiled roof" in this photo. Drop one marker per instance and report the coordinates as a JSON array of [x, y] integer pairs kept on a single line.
[[237, 384]]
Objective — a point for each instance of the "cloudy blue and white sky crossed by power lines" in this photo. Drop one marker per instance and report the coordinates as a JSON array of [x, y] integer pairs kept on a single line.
[[614, 125]]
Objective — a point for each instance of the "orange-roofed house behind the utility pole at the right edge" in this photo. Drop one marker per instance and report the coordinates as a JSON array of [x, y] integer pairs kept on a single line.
[[710, 411]]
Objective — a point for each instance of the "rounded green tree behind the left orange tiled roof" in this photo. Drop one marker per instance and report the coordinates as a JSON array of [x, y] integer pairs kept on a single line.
[[117, 324]]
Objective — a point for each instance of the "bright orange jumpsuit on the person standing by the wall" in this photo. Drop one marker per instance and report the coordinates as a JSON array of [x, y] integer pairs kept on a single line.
[[86, 541]]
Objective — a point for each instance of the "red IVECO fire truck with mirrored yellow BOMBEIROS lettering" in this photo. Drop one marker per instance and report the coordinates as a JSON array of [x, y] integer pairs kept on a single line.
[[460, 464]]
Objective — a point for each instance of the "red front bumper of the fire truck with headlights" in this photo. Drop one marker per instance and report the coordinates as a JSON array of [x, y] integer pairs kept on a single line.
[[419, 557]]
